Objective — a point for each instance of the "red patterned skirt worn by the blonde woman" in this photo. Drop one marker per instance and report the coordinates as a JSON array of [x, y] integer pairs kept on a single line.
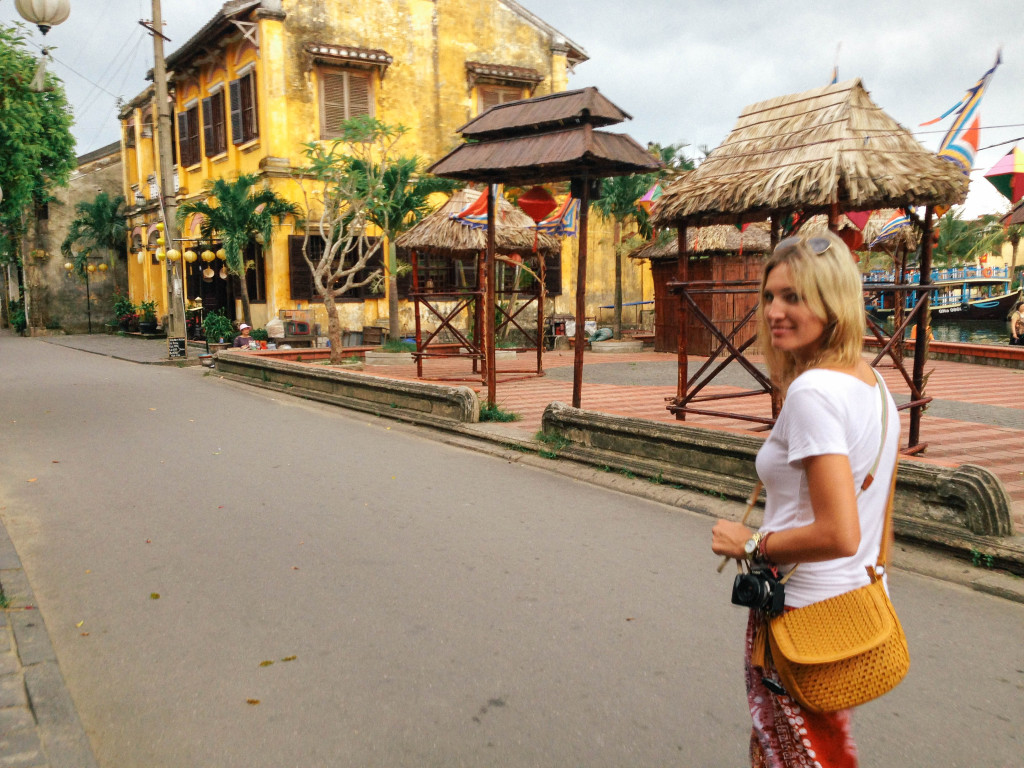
[[784, 735]]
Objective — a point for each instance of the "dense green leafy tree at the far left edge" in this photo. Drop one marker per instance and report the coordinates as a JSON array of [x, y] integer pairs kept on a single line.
[[35, 137]]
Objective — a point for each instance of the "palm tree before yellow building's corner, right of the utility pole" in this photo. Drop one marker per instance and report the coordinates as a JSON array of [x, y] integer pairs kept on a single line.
[[240, 216]]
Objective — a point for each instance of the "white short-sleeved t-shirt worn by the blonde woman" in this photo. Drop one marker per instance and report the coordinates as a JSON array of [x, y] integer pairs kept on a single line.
[[828, 412]]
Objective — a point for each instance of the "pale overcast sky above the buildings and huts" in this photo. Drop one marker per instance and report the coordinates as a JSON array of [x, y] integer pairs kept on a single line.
[[685, 70]]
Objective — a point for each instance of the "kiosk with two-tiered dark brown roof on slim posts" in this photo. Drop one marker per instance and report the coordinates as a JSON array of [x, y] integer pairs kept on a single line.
[[541, 141]]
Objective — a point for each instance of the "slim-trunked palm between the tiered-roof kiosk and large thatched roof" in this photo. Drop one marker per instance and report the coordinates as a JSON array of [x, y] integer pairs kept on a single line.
[[619, 202]]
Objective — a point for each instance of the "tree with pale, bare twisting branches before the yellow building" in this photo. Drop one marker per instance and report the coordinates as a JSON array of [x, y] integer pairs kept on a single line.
[[353, 193]]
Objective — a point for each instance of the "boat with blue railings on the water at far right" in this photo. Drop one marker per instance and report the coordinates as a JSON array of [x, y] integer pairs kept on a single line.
[[958, 294]]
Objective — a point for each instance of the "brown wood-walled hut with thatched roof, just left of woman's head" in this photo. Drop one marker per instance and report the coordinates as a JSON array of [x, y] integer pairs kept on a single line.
[[727, 254]]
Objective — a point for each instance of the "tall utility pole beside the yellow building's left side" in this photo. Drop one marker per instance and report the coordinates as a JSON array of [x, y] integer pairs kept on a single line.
[[168, 204]]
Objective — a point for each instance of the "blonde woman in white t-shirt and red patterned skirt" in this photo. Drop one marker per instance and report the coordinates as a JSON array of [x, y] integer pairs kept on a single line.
[[819, 513]]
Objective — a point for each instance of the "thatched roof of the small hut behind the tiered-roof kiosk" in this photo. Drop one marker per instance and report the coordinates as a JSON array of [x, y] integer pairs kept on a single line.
[[440, 234]]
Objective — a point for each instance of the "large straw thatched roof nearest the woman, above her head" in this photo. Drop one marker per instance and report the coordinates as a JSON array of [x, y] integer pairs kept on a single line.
[[807, 152]]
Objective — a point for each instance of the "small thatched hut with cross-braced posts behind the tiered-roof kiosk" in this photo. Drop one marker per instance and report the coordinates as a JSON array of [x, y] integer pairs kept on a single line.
[[448, 268]]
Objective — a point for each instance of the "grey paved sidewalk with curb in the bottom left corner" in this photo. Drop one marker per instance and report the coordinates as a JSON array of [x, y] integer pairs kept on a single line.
[[44, 717]]
